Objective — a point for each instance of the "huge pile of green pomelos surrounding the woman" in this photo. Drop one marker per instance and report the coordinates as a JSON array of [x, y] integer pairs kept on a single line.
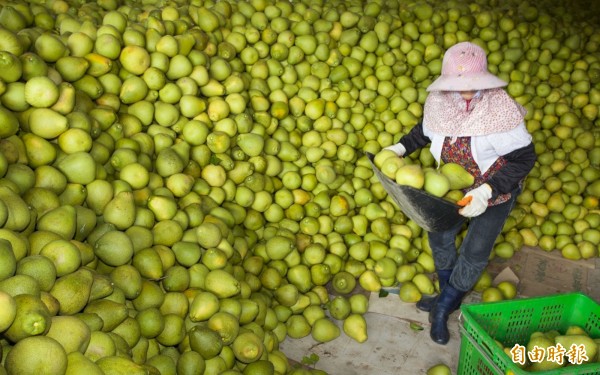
[[183, 184]]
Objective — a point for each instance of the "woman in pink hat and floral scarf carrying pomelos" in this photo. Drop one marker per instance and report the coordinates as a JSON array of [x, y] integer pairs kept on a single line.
[[469, 119]]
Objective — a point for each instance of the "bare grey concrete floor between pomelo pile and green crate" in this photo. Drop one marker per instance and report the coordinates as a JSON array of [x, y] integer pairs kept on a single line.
[[393, 346]]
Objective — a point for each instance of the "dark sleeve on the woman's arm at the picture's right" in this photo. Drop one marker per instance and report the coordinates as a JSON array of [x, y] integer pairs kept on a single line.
[[518, 164]]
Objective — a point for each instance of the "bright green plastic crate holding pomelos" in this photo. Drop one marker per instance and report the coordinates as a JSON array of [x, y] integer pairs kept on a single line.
[[512, 322]]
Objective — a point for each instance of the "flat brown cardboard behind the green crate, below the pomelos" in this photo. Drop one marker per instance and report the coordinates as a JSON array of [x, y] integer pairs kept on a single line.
[[542, 273]]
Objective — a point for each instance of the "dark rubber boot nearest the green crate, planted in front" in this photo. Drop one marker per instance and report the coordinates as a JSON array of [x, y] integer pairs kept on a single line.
[[448, 301]]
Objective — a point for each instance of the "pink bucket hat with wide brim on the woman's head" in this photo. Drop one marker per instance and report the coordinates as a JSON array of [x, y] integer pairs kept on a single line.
[[464, 68]]
